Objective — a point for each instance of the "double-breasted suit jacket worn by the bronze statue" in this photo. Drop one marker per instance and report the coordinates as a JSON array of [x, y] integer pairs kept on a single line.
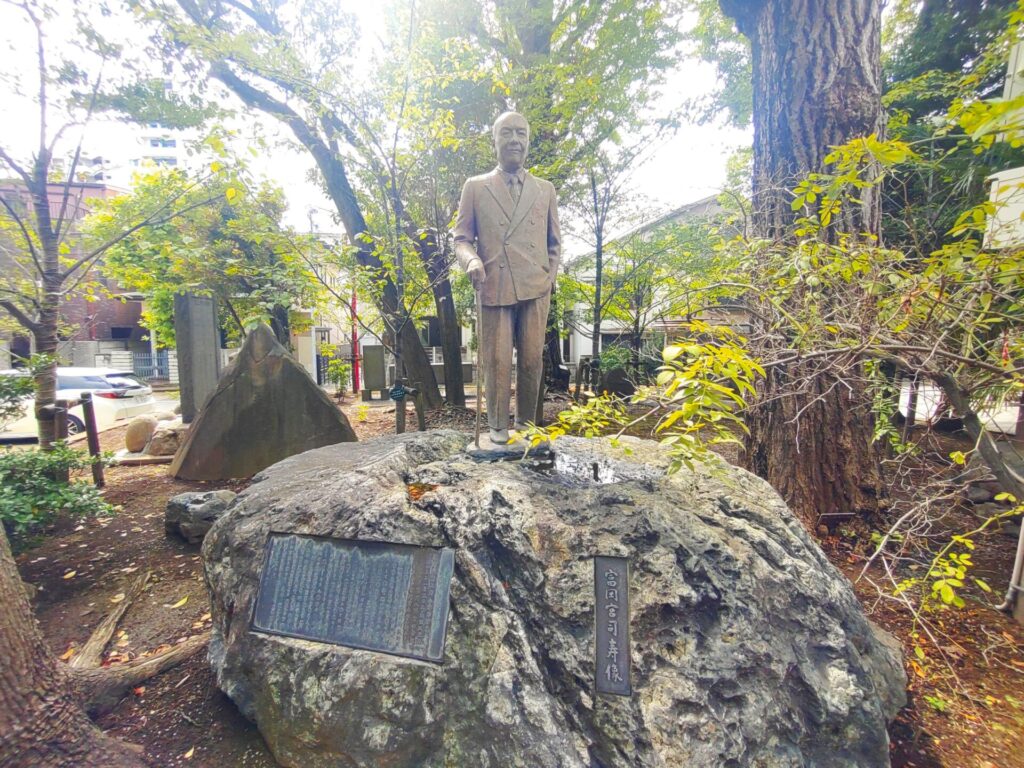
[[520, 245]]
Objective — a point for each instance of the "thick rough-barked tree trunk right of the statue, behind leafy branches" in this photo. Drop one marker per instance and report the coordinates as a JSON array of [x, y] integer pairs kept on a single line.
[[817, 84]]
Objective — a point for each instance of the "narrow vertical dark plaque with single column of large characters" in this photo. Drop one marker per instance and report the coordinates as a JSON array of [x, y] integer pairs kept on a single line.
[[612, 623]]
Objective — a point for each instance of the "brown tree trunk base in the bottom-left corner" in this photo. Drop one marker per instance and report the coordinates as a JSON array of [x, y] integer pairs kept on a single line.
[[41, 723]]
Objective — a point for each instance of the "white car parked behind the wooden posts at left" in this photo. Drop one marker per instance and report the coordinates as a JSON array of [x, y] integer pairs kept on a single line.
[[117, 396]]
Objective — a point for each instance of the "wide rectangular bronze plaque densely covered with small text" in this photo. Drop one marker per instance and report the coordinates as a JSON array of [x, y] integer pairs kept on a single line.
[[392, 599]]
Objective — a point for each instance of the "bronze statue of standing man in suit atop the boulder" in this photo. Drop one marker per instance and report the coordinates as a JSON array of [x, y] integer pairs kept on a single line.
[[508, 241]]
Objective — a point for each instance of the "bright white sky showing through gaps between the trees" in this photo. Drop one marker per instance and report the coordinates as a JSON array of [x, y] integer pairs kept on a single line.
[[688, 167]]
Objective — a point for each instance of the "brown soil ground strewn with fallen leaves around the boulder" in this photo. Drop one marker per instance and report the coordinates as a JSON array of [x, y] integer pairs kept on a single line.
[[967, 699]]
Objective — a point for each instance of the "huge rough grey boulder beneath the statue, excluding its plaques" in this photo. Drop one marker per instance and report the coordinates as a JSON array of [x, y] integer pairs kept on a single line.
[[749, 648]]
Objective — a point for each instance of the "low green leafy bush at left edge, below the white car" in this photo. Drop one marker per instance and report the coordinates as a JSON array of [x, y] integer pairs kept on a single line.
[[32, 496]]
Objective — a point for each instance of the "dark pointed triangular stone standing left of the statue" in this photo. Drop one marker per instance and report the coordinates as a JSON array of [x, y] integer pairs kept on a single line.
[[266, 409]]
